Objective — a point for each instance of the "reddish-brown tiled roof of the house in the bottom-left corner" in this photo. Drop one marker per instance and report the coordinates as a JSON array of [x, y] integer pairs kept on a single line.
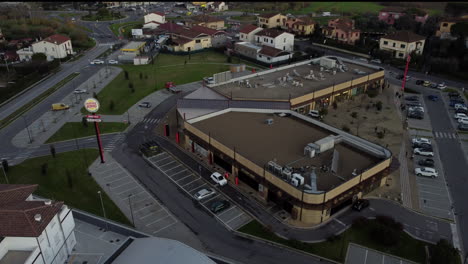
[[17, 216]]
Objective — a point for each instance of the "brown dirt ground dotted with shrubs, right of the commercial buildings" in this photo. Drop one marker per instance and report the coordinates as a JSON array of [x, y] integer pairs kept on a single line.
[[360, 115]]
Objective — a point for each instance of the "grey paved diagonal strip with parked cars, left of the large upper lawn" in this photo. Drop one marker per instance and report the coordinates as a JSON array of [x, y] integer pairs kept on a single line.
[[51, 121]]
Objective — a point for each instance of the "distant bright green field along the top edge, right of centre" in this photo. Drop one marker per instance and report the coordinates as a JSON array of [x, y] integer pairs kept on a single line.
[[339, 7]]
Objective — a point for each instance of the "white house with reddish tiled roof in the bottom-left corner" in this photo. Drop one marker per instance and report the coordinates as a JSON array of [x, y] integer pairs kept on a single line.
[[33, 230]]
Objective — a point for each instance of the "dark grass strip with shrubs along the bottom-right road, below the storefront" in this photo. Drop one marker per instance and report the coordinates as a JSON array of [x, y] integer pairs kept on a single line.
[[408, 247]]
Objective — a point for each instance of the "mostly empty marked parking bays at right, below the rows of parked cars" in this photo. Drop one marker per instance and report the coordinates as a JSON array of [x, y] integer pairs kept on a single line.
[[433, 192]]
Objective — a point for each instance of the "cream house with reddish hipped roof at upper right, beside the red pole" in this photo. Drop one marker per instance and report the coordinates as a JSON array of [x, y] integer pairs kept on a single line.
[[402, 43]]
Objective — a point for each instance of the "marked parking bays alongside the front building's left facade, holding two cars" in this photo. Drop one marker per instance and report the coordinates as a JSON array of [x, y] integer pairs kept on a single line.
[[232, 217]]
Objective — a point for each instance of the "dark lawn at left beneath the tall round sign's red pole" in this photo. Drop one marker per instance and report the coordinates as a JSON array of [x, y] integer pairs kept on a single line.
[[55, 185]]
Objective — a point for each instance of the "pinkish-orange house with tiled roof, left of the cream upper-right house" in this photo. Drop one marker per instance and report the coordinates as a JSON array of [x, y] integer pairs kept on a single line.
[[342, 29]]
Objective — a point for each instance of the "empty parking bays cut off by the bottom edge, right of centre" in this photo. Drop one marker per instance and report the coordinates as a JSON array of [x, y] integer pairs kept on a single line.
[[357, 254]]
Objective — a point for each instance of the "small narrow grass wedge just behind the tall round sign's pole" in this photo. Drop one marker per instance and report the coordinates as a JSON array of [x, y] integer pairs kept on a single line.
[[73, 130]]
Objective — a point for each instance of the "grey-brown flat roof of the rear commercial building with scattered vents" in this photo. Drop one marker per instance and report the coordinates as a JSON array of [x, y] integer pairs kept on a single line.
[[269, 88]]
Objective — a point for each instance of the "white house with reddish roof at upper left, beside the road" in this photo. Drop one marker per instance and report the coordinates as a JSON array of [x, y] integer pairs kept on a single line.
[[55, 46]]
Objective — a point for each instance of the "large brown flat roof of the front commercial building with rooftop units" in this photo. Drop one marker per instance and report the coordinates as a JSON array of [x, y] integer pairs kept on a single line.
[[284, 142]]
